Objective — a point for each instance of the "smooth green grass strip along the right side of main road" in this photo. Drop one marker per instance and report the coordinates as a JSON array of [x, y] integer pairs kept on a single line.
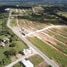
[[49, 51]]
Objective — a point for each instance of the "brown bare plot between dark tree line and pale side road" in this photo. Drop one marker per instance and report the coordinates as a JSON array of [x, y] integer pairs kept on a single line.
[[31, 25]]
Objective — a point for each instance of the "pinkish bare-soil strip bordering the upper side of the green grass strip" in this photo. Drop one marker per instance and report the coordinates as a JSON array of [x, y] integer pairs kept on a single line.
[[53, 42]]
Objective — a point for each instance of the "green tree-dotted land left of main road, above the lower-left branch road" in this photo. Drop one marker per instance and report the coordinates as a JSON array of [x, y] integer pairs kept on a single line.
[[10, 44]]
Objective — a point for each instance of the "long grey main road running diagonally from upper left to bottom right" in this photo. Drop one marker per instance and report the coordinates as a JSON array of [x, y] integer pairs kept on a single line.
[[16, 31]]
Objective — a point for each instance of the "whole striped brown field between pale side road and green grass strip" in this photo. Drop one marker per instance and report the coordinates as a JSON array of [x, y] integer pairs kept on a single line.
[[56, 37]]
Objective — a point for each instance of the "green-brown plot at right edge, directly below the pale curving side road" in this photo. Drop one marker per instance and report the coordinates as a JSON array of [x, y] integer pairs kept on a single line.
[[59, 34]]
